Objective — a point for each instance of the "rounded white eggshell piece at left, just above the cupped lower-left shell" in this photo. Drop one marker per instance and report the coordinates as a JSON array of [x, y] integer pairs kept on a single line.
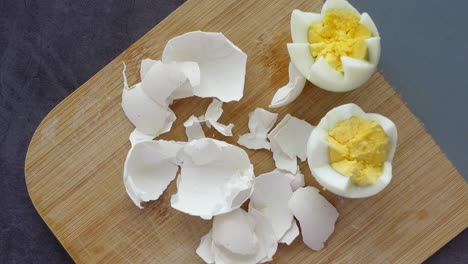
[[146, 115]]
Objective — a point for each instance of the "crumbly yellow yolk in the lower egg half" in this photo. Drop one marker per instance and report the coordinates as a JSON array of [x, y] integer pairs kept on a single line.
[[358, 148]]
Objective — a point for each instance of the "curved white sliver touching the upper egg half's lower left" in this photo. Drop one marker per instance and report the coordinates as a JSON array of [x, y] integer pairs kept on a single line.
[[291, 91]]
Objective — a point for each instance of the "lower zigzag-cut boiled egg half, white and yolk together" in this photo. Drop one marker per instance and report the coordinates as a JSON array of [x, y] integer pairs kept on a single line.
[[350, 152]]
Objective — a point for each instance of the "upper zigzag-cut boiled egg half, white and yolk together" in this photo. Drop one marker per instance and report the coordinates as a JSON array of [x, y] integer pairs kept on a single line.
[[338, 49]]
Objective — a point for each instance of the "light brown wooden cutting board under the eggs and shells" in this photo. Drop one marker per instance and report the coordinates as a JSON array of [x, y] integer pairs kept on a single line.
[[75, 160]]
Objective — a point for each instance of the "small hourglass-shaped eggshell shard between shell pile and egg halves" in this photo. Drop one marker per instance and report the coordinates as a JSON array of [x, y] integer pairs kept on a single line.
[[260, 122]]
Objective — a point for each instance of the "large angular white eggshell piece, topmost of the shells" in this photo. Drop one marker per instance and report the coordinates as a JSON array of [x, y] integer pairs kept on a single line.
[[222, 64]]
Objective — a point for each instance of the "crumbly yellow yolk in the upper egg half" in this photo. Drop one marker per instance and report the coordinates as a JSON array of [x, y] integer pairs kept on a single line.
[[339, 34]]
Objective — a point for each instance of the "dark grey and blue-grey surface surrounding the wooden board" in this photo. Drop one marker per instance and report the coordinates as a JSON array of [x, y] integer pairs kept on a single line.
[[49, 48]]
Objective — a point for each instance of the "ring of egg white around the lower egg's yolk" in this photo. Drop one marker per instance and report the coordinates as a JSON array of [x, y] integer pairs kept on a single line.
[[317, 151]]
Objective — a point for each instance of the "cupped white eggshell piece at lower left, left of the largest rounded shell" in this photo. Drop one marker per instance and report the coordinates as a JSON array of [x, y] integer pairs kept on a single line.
[[149, 168]]
